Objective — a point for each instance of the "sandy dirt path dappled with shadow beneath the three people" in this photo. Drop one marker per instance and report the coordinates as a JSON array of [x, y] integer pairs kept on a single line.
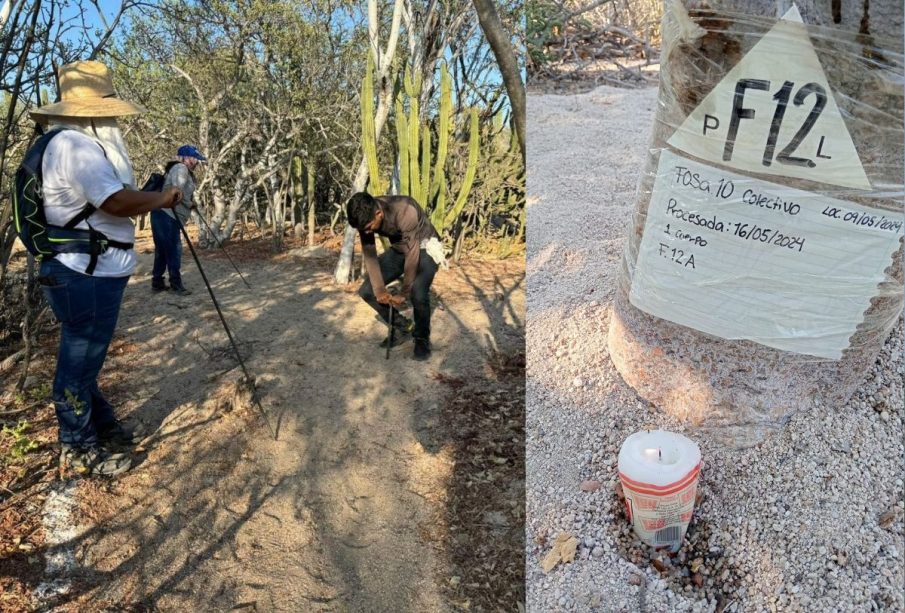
[[342, 511]]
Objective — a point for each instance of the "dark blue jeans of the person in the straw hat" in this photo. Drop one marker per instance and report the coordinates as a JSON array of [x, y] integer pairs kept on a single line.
[[87, 308]]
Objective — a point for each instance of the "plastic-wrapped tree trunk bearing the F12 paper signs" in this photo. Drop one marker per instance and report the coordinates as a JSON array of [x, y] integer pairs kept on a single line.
[[763, 271]]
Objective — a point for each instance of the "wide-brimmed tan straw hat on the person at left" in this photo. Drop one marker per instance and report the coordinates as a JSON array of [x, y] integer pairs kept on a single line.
[[86, 90]]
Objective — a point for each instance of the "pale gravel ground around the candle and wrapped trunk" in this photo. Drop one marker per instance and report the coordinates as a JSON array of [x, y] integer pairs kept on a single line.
[[811, 519]]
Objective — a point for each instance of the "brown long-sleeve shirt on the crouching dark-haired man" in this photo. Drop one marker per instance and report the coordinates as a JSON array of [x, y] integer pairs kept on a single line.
[[405, 224]]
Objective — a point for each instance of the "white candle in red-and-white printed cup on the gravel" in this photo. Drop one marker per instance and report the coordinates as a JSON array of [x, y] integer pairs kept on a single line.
[[659, 473]]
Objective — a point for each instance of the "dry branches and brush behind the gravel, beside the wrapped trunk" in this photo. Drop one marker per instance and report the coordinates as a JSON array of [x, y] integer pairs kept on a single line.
[[580, 42]]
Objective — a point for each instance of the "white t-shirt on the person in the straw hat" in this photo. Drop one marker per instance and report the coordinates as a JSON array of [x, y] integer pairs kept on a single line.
[[75, 172]]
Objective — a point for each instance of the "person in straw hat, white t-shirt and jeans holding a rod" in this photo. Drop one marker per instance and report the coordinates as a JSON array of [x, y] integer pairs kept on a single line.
[[88, 184]]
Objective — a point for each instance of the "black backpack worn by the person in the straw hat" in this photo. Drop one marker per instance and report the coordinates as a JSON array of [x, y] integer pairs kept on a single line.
[[40, 238]]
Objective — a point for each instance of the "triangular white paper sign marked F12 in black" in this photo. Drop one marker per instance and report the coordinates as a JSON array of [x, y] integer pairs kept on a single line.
[[774, 113]]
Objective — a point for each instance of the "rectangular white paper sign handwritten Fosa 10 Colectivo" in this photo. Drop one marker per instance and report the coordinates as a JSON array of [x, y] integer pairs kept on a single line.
[[742, 258]]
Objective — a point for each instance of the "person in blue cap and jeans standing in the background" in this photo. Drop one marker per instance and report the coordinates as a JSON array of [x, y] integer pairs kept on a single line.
[[165, 230]]
